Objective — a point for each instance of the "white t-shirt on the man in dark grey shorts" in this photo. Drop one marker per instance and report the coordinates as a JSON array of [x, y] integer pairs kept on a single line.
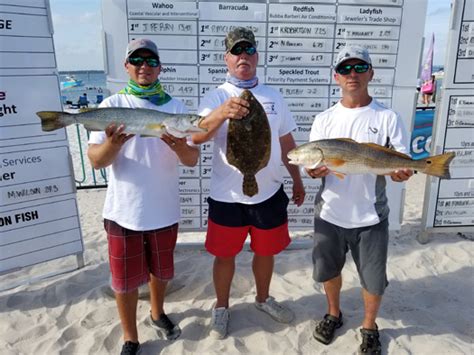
[[357, 200]]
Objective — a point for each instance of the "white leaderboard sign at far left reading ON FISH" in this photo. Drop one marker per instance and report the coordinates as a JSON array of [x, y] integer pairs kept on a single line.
[[38, 211]]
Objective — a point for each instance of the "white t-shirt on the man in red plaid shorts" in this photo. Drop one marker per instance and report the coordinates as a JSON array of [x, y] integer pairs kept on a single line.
[[142, 191]]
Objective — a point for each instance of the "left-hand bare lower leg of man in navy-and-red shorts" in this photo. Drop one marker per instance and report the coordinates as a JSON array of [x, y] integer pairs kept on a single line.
[[223, 274]]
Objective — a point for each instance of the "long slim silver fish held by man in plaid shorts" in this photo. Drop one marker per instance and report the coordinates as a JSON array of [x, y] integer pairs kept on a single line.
[[140, 121]]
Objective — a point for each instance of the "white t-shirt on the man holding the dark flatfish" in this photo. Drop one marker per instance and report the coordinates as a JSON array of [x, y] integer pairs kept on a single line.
[[226, 180]]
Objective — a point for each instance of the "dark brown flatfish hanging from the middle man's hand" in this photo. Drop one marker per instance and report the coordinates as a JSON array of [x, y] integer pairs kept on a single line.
[[249, 143]]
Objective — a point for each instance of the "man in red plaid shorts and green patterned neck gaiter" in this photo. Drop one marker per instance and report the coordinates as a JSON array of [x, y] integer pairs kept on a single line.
[[141, 209]]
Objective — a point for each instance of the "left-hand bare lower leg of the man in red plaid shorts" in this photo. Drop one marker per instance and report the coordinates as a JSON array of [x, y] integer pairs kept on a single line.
[[127, 307]]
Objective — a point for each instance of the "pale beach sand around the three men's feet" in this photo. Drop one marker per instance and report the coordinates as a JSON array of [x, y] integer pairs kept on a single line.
[[427, 308]]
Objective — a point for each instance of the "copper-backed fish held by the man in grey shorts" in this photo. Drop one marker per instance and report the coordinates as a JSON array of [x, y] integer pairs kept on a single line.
[[346, 156]]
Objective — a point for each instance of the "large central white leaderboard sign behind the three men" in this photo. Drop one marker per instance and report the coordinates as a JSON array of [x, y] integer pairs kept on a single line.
[[297, 42]]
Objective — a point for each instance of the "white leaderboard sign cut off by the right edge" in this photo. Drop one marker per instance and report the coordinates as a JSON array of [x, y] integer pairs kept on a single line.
[[449, 204]]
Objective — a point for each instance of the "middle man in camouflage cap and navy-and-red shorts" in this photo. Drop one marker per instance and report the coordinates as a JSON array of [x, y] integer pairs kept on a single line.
[[233, 215]]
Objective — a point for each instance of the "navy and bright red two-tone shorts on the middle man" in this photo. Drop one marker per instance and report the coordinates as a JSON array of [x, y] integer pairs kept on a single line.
[[230, 223]]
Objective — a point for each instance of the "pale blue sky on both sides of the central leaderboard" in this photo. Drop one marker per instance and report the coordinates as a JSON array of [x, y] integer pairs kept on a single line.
[[78, 32]]
